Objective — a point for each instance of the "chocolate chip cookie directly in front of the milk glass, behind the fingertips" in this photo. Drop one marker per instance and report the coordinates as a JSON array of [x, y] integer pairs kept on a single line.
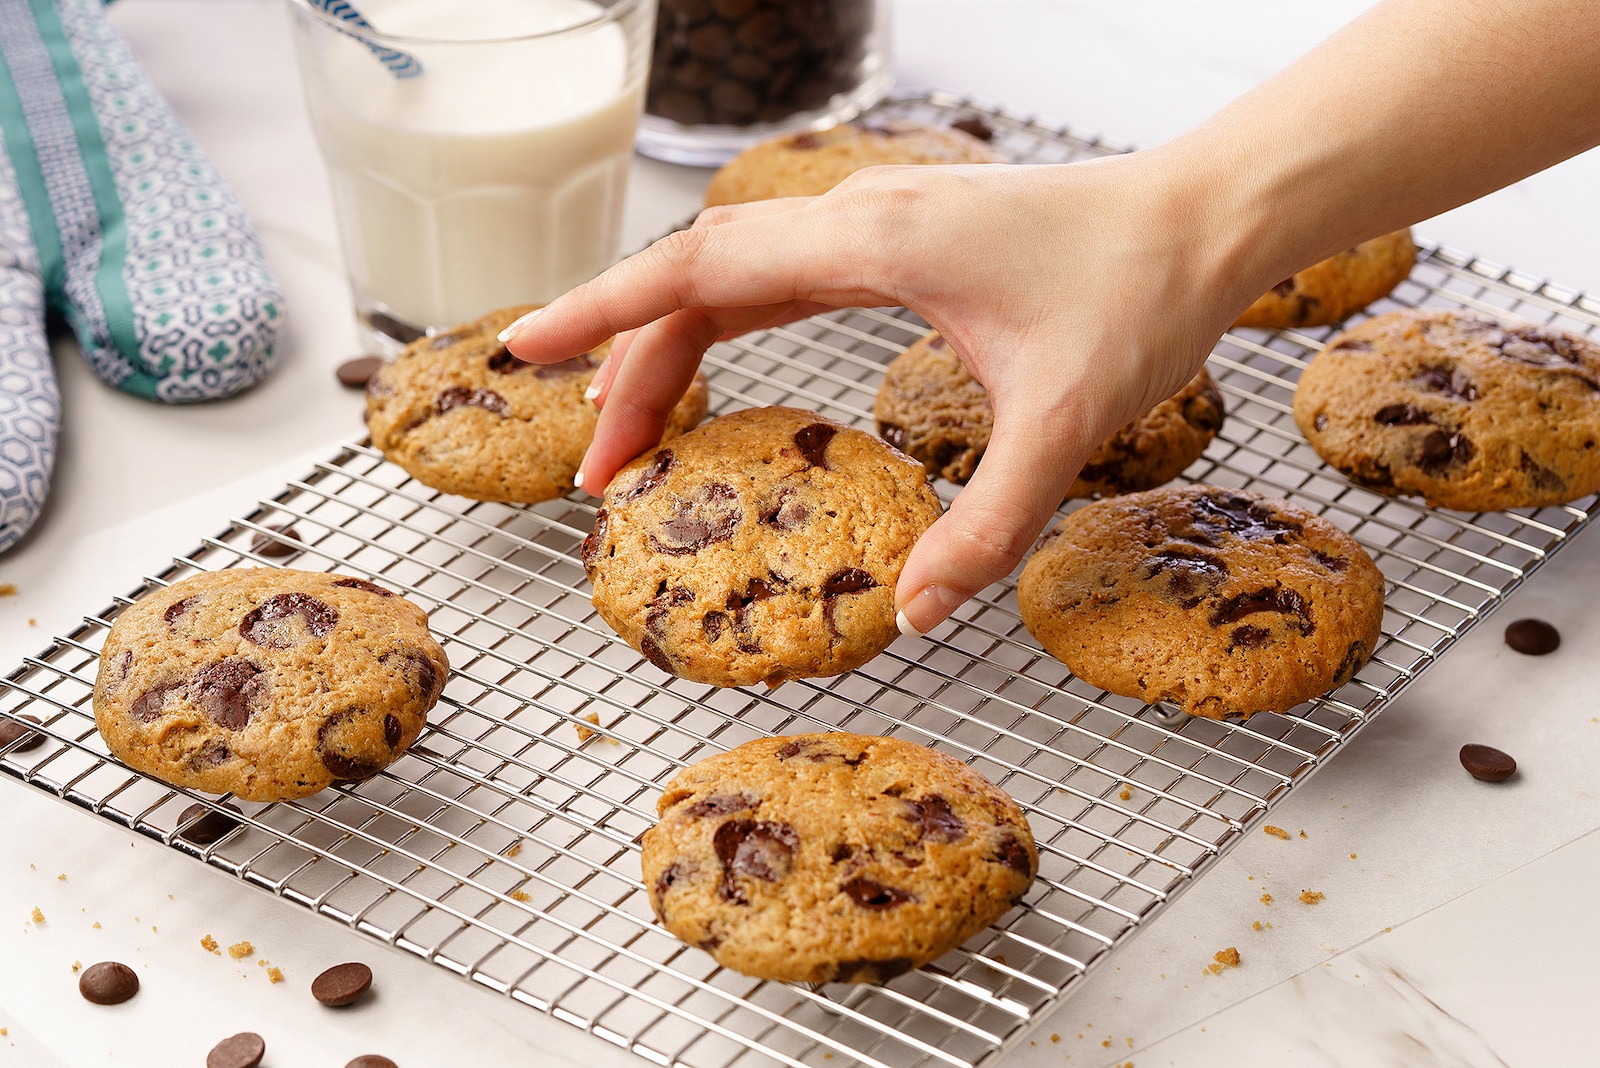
[[462, 415]]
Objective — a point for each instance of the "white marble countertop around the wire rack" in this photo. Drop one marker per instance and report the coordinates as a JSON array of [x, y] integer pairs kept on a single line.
[[1454, 927]]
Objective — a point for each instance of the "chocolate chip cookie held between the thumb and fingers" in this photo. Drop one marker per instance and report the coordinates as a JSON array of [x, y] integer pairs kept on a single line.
[[762, 546]]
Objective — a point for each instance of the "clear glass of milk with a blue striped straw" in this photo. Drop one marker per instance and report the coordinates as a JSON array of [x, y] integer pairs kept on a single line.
[[492, 177]]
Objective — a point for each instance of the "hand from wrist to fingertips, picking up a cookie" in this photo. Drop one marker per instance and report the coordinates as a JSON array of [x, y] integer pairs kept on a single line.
[[1078, 295]]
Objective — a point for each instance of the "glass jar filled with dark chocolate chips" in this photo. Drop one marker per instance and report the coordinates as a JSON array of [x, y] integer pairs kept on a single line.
[[727, 74]]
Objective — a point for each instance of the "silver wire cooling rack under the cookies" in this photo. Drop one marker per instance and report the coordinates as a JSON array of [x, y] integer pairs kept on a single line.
[[505, 847]]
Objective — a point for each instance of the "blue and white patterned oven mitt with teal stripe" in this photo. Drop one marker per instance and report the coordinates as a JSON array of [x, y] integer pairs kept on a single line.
[[113, 217]]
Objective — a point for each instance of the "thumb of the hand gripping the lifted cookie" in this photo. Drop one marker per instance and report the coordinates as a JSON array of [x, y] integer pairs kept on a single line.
[[1020, 484]]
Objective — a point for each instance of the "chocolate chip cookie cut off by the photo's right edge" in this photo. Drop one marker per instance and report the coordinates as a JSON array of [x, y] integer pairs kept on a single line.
[[1460, 408]]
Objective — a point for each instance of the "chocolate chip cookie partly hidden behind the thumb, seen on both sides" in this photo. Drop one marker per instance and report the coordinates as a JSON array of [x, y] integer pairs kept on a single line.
[[932, 408]]
